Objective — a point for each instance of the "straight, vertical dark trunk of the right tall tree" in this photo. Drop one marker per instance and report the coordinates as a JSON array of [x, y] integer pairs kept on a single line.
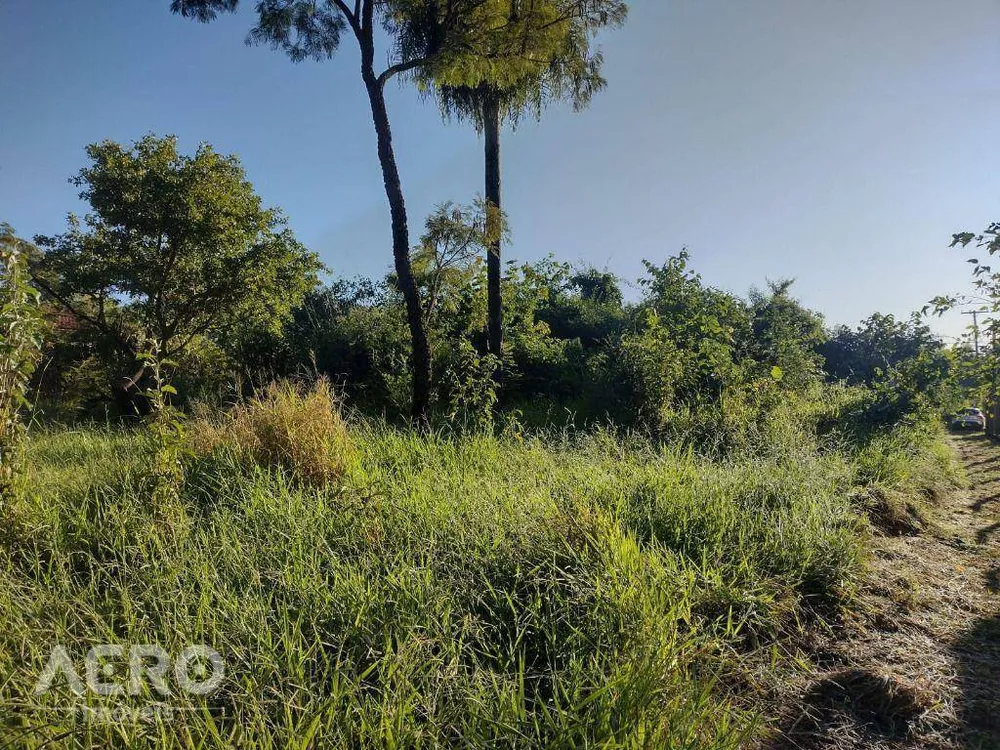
[[494, 269]]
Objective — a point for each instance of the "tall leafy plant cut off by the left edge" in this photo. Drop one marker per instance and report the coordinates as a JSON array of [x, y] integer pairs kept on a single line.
[[20, 347]]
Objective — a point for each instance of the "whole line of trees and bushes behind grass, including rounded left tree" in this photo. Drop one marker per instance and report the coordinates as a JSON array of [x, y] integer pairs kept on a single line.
[[175, 243]]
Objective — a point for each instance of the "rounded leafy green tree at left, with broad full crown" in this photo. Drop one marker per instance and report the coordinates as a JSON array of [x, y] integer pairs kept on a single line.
[[175, 248]]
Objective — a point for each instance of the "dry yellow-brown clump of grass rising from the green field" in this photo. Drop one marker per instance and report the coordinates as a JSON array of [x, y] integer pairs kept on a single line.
[[289, 426]]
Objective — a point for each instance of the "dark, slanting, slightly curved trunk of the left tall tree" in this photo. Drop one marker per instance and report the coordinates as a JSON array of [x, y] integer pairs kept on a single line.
[[401, 250]]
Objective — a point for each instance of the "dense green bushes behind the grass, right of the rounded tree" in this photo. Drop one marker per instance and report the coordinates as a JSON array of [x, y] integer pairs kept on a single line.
[[685, 362]]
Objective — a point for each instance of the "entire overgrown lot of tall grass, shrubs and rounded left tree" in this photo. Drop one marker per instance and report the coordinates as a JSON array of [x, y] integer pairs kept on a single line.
[[605, 528]]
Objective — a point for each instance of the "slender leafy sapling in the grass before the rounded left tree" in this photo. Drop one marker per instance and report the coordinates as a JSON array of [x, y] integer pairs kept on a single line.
[[165, 424]]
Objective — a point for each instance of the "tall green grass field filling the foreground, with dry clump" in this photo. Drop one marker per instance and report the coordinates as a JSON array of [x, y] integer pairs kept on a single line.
[[369, 587]]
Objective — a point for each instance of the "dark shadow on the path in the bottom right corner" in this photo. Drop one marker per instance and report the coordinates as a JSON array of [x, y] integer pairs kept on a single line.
[[977, 657]]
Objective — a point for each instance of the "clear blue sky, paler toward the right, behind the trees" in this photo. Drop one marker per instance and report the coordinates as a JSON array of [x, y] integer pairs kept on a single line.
[[840, 142]]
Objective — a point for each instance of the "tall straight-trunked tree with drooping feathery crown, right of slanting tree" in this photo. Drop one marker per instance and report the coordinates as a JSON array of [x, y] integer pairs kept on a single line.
[[550, 42]]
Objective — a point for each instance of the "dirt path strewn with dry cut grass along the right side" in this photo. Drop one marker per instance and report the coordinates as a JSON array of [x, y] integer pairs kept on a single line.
[[919, 667]]
